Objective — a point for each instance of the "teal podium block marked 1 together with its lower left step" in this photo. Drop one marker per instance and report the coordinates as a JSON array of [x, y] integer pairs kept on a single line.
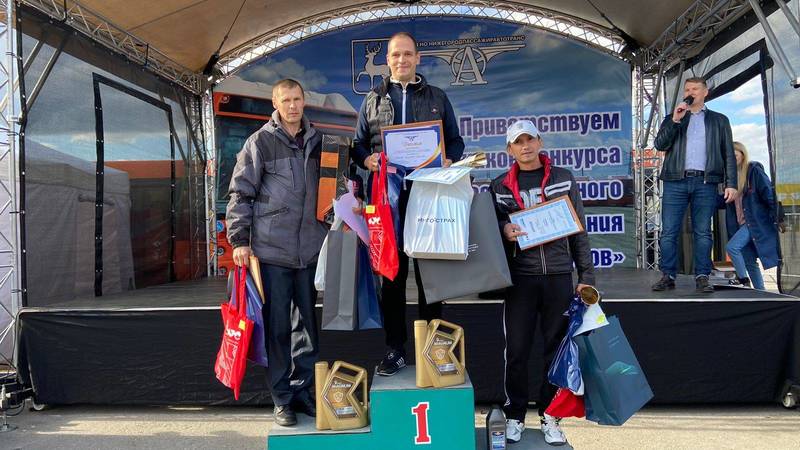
[[402, 416]]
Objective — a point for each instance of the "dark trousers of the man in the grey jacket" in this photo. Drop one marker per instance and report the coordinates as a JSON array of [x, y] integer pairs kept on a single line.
[[292, 337]]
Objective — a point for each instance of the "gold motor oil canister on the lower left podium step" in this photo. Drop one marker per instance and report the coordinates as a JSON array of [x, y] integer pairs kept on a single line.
[[341, 396]]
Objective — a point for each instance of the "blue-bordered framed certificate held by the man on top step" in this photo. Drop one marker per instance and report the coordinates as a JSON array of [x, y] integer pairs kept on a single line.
[[414, 145]]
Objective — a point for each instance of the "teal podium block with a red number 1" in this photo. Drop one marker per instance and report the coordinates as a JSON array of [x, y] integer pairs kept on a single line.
[[407, 417]]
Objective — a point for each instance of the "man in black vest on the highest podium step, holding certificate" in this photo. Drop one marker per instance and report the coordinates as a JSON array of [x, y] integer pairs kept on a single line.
[[405, 98]]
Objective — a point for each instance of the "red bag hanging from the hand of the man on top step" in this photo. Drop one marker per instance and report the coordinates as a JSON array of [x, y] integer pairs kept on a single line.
[[382, 242]]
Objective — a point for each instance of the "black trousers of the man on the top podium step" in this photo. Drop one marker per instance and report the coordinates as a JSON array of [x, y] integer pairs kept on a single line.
[[393, 293]]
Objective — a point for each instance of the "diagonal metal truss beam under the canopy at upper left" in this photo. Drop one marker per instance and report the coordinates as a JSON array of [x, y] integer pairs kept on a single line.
[[101, 30]]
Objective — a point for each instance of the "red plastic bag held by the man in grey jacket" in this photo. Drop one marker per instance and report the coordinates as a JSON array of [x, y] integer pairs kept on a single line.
[[238, 328]]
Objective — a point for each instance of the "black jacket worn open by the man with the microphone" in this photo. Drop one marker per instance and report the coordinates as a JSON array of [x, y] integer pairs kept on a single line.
[[720, 160]]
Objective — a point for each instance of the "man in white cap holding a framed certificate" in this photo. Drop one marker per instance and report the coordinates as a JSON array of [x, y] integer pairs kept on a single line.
[[540, 213]]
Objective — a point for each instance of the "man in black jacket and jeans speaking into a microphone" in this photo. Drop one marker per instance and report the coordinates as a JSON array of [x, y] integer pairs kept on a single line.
[[698, 144]]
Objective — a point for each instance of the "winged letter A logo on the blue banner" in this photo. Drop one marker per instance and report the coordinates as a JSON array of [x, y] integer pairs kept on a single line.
[[468, 63]]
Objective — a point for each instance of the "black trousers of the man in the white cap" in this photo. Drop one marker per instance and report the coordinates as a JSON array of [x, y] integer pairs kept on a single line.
[[532, 297]]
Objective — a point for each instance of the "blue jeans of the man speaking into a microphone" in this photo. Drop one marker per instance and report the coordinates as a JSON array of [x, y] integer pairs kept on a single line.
[[677, 196]]
